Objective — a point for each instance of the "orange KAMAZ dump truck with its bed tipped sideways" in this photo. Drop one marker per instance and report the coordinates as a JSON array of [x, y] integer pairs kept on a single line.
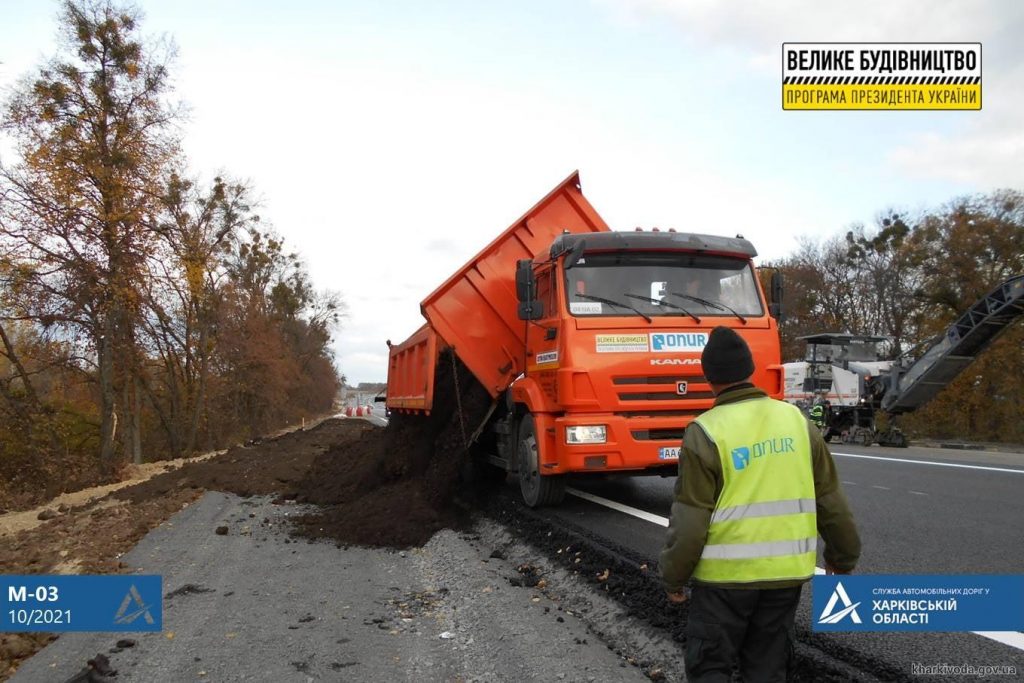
[[588, 340]]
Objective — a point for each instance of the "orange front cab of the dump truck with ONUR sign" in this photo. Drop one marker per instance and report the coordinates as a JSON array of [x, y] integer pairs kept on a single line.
[[616, 325]]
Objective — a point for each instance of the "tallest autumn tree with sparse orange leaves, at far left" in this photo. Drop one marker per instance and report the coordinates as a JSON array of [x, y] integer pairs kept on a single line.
[[93, 131]]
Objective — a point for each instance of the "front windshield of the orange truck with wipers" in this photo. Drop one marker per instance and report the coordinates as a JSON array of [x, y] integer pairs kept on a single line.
[[659, 283]]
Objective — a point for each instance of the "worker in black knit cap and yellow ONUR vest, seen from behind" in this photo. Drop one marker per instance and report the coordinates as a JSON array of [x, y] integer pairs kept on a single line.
[[756, 487]]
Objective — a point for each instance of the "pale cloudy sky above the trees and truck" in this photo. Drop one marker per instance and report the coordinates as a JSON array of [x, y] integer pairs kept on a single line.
[[392, 141]]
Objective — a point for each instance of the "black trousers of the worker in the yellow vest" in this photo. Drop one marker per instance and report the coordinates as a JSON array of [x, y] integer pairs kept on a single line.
[[749, 628]]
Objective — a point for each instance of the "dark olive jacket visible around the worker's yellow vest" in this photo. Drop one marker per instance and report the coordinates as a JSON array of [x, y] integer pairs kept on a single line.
[[700, 485]]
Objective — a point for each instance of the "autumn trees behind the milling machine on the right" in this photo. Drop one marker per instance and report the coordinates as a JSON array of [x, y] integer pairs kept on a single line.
[[908, 279]]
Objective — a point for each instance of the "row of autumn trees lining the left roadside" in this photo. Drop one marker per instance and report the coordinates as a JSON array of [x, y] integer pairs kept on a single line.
[[131, 321]]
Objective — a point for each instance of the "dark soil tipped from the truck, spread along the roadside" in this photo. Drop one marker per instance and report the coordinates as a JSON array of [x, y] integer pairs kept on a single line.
[[392, 487]]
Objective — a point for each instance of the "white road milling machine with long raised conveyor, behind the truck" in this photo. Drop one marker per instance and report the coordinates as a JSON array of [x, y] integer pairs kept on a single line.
[[848, 373]]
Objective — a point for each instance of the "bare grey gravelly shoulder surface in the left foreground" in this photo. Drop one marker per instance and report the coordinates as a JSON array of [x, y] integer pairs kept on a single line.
[[261, 608]]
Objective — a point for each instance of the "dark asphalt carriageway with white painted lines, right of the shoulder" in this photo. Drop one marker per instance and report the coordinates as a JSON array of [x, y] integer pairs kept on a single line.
[[919, 510]]
